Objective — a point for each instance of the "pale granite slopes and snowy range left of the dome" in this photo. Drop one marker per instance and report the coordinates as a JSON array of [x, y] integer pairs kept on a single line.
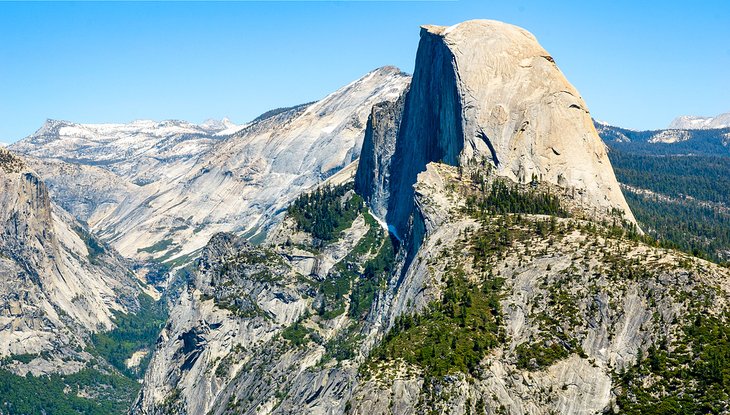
[[181, 183]]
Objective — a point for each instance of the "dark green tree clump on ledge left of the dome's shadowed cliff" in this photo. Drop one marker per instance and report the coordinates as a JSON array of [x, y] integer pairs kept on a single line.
[[326, 211]]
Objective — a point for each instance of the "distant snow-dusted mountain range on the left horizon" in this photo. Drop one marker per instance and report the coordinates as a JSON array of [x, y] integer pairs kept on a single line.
[[93, 168]]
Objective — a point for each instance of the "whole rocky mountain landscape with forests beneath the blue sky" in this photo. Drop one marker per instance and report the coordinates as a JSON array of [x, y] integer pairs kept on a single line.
[[466, 239]]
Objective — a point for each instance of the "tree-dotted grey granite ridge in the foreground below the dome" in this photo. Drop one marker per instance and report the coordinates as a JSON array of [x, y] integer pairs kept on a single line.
[[254, 333]]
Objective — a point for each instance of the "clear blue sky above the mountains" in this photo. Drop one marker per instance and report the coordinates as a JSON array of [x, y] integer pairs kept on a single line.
[[637, 64]]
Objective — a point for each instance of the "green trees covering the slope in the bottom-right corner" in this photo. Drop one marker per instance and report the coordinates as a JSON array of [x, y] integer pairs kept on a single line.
[[690, 377]]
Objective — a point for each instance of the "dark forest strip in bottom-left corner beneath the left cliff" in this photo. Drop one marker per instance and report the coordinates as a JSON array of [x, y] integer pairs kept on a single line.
[[89, 392]]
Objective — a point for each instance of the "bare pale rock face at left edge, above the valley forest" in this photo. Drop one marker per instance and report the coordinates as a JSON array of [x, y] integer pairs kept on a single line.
[[59, 283]]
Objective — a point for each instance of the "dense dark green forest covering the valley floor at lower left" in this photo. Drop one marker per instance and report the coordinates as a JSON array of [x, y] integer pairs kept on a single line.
[[98, 388]]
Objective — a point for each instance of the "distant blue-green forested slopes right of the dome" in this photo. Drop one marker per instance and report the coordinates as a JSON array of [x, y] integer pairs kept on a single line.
[[676, 188]]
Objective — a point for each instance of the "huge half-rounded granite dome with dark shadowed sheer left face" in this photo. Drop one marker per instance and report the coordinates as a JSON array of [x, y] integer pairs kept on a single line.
[[486, 89]]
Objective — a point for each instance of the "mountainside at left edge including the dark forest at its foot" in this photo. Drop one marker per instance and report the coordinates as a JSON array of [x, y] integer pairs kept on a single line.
[[62, 289]]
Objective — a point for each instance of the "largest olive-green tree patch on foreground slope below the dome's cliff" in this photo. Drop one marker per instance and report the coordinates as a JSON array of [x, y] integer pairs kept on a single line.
[[452, 335]]
